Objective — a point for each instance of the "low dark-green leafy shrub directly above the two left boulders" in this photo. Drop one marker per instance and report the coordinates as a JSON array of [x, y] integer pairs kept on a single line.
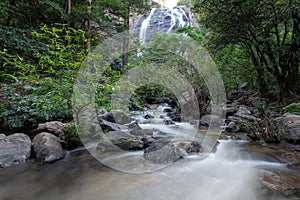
[[25, 112]]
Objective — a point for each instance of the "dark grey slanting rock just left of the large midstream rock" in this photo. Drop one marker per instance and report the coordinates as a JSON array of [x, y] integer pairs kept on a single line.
[[125, 141]]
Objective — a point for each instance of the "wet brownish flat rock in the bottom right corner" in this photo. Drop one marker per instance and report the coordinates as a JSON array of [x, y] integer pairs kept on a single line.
[[280, 182]]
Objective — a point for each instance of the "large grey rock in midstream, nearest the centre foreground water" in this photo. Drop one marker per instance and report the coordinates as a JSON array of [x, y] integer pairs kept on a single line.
[[165, 151]]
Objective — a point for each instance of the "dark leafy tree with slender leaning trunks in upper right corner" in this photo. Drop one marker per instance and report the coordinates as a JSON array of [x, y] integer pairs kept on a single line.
[[268, 30]]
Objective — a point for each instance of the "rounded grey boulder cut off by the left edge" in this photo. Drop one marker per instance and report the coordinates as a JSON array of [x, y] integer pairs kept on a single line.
[[14, 149]]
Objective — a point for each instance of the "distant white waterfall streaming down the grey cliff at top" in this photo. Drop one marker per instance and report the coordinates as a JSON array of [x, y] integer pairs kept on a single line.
[[161, 20]]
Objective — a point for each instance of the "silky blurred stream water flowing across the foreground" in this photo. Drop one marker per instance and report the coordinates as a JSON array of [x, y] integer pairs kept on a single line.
[[230, 173]]
